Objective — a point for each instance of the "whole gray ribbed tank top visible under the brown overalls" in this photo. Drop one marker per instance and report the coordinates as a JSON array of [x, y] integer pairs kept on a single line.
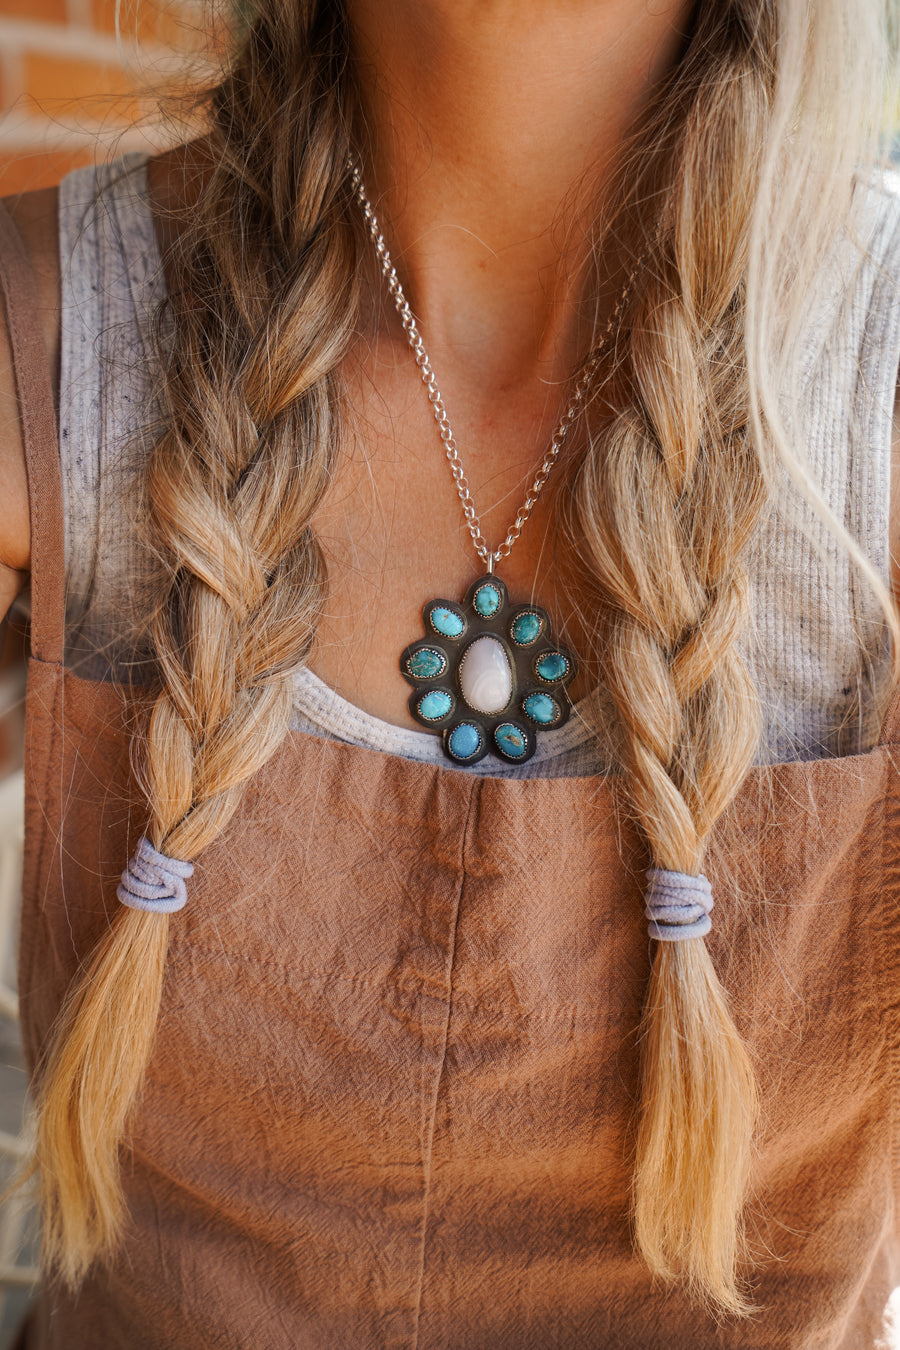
[[817, 646]]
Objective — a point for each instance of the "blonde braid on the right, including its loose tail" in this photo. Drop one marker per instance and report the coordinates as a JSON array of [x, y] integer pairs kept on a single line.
[[665, 508]]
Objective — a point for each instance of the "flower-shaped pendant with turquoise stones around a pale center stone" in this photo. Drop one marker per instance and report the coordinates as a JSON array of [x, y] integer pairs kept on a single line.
[[488, 677]]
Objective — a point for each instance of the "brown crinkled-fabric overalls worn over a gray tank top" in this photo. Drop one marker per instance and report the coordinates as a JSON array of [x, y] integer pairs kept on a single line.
[[393, 1090]]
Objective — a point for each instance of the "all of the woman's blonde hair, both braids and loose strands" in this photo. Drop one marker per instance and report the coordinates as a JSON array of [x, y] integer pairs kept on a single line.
[[740, 178]]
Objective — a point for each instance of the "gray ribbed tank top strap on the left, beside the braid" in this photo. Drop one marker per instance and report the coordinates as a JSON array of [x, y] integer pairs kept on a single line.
[[111, 284]]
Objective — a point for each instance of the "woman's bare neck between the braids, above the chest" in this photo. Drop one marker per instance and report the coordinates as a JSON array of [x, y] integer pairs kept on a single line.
[[490, 126]]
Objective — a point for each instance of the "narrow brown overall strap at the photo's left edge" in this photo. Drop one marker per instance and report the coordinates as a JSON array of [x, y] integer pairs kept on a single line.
[[38, 422]]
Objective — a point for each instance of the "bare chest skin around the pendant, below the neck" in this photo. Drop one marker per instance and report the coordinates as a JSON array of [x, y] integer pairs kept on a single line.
[[395, 535]]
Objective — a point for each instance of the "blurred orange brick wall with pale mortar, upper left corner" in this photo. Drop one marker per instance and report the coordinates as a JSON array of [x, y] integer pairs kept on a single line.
[[72, 90]]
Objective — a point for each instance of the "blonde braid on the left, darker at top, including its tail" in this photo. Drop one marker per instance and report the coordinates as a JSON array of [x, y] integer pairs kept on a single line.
[[264, 308]]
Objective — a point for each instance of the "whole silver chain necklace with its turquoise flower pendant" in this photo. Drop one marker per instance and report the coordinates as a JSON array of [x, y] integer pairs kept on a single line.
[[488, 676]]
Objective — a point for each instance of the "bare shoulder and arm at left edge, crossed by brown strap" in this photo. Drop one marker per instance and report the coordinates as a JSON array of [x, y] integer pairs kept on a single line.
[[36, 217]]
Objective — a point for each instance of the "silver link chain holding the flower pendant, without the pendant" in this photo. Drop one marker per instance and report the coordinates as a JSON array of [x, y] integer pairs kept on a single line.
[[424, 364]]
